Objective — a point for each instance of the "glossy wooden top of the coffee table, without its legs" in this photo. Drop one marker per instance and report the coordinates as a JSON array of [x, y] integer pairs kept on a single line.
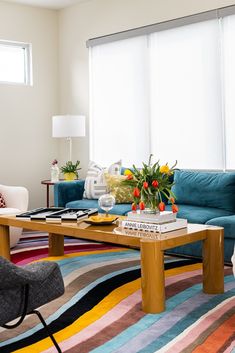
[[113, 233]]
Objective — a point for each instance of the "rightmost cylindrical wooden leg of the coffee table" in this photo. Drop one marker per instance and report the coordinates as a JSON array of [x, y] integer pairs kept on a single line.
[[213, 261]]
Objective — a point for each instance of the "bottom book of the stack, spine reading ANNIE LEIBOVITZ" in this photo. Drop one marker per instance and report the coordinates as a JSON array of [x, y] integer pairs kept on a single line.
[[155, 227]]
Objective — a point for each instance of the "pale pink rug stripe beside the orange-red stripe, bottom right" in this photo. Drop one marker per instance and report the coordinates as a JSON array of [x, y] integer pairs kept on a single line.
[[199, 327]]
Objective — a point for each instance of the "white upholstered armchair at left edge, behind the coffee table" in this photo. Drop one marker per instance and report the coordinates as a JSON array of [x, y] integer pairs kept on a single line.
[[16, 199]]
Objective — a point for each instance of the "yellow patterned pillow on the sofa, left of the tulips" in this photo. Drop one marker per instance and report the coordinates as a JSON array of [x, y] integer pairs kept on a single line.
[[122, 193]]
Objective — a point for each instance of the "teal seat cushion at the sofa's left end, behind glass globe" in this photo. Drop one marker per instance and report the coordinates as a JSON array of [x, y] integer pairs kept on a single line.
[[120, 209]]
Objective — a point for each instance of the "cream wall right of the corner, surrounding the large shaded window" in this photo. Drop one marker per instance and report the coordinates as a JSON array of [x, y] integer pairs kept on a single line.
[[95, 18]]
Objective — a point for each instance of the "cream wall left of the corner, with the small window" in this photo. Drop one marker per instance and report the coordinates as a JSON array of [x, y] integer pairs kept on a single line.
[[26, 145]]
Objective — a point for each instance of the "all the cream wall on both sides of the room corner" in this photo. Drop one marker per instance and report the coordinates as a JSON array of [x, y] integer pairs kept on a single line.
[[26, 145]]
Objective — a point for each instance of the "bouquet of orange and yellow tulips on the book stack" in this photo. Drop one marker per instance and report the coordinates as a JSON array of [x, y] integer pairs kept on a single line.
[[152, 186]]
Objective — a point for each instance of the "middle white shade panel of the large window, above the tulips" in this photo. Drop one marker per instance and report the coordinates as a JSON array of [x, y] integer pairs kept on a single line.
[[185, 96]]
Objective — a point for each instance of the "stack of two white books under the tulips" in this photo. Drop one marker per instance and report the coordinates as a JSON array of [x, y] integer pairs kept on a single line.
[[162, 222]]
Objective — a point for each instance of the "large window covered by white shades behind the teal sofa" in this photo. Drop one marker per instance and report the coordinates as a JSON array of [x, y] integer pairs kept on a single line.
[[169, 93]]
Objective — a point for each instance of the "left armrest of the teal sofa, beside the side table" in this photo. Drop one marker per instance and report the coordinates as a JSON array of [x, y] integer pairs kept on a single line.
[[66, 191]]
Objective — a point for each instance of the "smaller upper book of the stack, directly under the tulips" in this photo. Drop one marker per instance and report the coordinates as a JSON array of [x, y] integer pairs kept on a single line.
[[161, 217]]
